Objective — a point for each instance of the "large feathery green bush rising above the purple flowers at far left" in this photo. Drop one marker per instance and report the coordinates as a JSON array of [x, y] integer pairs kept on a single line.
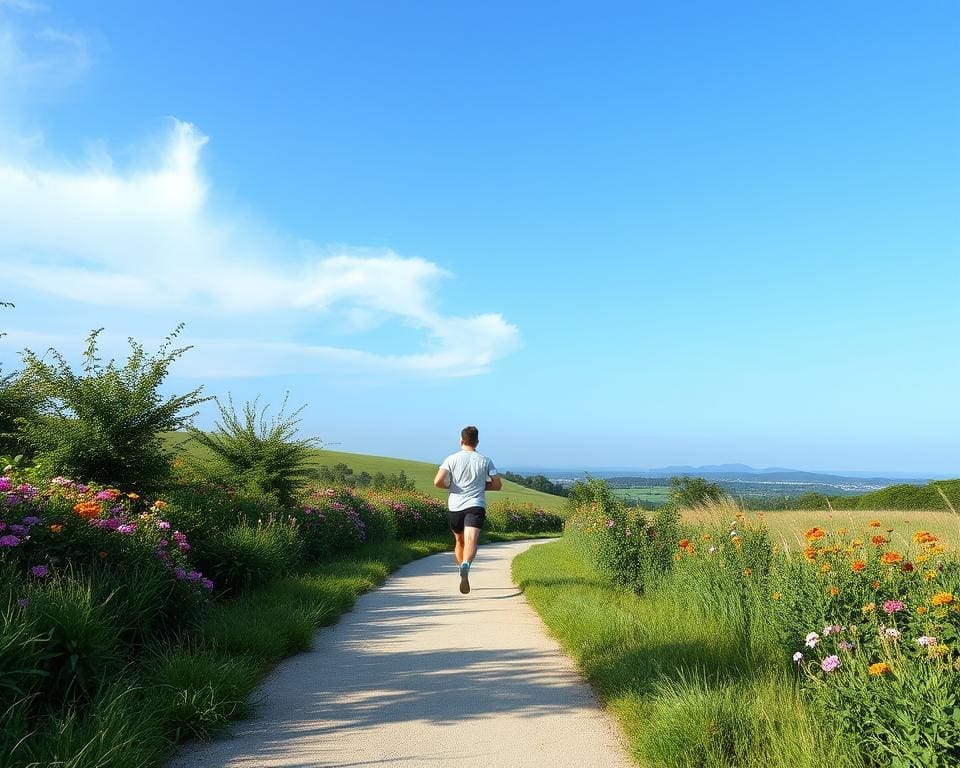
[[104, 424]]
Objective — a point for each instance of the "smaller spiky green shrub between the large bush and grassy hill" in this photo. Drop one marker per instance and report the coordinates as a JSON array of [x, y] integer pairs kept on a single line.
[[257, 455]]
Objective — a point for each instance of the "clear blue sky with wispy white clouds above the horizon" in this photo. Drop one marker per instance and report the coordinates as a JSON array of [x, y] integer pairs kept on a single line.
[[609, 234]]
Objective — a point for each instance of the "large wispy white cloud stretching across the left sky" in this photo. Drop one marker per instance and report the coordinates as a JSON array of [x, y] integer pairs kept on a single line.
[[146, 237]]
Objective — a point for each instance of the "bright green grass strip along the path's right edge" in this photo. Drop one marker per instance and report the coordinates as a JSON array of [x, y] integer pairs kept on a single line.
[[685, 693]]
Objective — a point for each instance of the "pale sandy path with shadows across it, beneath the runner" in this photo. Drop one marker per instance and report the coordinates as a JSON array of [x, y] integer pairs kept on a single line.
[[419, 675]]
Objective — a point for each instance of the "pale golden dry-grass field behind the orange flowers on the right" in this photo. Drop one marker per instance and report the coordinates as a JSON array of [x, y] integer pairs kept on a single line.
[[789, 526]]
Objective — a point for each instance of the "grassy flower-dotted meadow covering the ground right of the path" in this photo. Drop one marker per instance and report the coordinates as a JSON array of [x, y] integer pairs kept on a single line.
[[716, 646]]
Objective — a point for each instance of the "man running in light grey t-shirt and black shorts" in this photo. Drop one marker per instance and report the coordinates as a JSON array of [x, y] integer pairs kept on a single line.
[[468, 474]]
